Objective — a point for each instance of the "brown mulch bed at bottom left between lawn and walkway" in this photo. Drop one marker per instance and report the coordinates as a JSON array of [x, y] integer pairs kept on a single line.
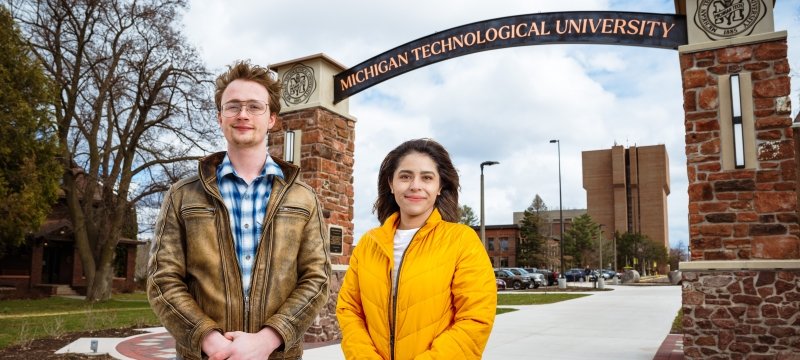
[[46, 347]]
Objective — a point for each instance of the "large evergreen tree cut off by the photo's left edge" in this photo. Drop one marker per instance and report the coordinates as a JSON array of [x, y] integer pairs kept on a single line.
[[29, 171]]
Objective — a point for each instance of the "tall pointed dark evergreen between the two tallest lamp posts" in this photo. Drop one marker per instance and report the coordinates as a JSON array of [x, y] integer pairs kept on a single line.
[[532, 249]]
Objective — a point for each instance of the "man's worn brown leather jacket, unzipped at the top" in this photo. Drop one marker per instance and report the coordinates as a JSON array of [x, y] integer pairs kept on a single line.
[[194, 284]]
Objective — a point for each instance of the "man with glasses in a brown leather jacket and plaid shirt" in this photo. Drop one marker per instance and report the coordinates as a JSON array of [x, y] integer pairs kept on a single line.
[[239, 266]]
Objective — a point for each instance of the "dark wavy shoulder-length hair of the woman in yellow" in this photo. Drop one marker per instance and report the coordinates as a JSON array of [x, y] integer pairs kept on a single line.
[[447, 202]]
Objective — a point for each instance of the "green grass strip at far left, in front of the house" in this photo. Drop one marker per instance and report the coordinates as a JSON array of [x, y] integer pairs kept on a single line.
[[25, 320]]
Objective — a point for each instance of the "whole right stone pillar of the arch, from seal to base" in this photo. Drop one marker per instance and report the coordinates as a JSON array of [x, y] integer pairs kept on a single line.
[[740, 290]]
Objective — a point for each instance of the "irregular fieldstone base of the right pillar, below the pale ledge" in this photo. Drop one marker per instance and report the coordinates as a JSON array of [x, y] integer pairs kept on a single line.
[[741, 315]]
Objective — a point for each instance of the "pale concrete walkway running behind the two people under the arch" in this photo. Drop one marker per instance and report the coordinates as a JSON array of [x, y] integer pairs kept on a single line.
[[629, 322]]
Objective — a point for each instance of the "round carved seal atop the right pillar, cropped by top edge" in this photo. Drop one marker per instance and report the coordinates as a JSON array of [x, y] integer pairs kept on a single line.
[[724, 19]]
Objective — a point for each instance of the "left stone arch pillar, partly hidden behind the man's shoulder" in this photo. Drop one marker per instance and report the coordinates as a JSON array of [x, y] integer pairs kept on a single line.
[[326, 144]]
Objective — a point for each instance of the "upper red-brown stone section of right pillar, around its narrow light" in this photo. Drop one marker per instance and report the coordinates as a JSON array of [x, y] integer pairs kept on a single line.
[[746, 213]]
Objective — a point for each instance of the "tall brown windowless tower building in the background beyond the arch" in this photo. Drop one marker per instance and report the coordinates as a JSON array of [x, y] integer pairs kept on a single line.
[[626, 189]]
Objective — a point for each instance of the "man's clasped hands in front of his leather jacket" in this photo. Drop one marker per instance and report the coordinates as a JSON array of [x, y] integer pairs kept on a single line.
[[249, 346]]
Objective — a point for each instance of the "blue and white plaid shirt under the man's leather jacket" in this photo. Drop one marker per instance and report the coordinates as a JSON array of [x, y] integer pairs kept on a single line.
[[247, 207]]
